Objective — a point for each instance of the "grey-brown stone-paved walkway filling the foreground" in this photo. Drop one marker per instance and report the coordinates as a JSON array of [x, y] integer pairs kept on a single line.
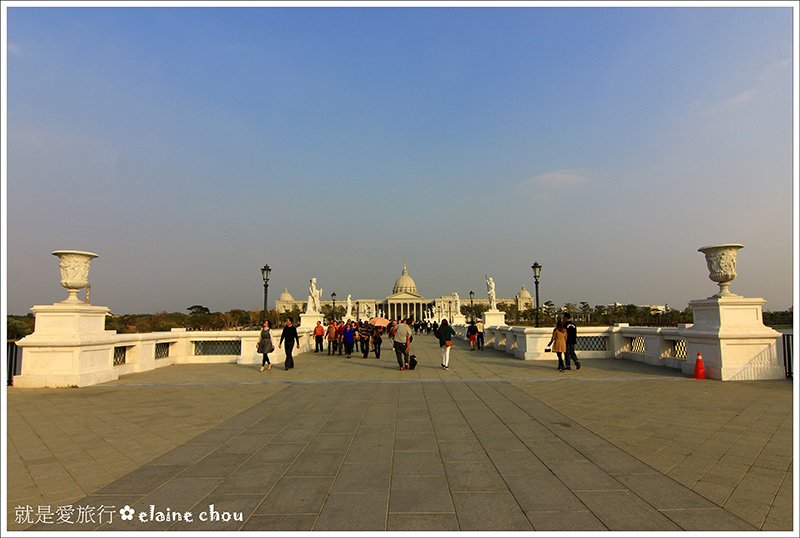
[[336, 444]]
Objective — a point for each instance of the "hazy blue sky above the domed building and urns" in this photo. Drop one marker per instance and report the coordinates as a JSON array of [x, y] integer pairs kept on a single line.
[[189, 146]]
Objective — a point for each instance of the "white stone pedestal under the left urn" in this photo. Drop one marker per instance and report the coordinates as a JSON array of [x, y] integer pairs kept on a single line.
[[68, 348]]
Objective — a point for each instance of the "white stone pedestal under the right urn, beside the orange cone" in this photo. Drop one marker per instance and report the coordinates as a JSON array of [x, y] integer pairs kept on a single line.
[[736, 345]]
